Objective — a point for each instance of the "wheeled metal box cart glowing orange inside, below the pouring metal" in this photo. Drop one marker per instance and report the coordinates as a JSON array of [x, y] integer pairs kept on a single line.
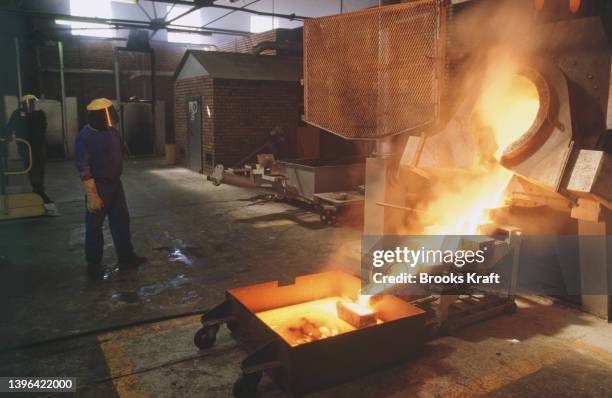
[[253, 314]]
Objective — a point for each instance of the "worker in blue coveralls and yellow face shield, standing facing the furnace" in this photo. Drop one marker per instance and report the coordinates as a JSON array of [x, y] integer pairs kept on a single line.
[[99, 152]]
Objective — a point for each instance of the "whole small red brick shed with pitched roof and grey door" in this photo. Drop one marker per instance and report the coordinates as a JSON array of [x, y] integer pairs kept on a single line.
[[226, 104]]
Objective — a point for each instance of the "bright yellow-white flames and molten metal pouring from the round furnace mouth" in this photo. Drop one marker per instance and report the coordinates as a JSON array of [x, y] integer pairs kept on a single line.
[[505, 110]]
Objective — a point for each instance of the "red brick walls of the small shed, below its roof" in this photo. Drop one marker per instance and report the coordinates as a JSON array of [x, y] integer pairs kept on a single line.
[[242, 114]]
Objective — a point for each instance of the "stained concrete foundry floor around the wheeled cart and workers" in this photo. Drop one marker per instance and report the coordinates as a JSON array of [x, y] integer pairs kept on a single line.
[[203, 239]]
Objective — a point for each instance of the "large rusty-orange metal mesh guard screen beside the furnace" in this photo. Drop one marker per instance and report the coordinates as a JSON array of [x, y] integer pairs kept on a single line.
[[371, 74]]
